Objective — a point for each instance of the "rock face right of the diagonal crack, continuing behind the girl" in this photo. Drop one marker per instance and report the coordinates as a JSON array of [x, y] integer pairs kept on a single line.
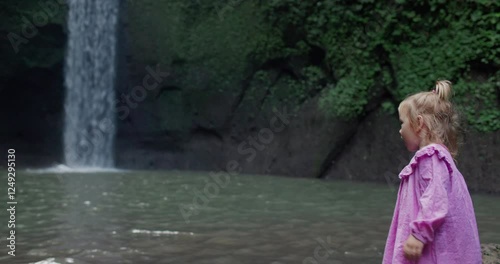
[[377, 153]]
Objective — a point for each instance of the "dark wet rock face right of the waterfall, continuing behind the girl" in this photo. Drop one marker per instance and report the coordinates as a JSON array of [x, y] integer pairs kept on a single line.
[[309, 145]]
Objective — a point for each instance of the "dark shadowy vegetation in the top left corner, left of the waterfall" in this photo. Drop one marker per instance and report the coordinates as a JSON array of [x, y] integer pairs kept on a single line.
[[32, 33]]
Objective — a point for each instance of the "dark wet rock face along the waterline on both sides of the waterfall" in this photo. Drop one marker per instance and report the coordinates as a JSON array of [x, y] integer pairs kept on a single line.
[[308, 145]]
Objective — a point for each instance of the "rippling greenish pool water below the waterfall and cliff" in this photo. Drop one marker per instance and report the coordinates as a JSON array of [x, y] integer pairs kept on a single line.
[[182, 217]]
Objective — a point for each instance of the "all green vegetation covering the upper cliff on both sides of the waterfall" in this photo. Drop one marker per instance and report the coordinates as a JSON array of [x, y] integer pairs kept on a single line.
[[349, 53]]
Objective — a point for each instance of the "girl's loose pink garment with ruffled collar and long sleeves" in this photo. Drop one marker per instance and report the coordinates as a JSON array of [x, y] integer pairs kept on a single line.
[[435, 206]]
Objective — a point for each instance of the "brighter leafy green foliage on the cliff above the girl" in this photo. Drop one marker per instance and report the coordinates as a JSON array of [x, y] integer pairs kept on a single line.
[[404, 46]]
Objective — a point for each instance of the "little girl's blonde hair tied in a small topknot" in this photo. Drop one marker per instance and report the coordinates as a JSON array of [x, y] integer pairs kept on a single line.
[[438, 113]]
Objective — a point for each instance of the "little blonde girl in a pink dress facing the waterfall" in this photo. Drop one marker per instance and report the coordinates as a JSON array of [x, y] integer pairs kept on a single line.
[[434, 219]]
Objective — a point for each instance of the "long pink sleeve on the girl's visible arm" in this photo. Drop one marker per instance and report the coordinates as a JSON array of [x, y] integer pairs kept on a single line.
[[433, 179]]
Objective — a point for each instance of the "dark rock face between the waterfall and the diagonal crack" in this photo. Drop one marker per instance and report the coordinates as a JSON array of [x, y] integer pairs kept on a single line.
[[280, 141]]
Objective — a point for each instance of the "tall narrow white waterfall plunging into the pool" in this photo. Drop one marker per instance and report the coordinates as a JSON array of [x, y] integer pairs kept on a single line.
[[90, 71]]
